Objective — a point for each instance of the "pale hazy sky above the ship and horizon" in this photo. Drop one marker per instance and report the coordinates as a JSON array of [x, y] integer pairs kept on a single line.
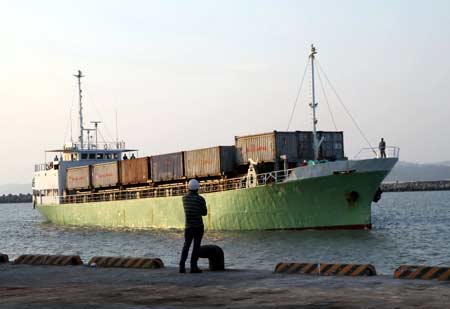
[[188, 74]]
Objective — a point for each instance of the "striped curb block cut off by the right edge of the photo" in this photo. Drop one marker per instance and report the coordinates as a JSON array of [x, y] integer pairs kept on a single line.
[[422, 272]]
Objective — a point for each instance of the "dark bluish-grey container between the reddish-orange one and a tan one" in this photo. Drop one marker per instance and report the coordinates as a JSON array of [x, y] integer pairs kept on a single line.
[[167, 167]]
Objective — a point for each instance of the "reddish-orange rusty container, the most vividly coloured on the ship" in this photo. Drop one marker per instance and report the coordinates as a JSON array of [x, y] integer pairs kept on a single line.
[[134, 171]]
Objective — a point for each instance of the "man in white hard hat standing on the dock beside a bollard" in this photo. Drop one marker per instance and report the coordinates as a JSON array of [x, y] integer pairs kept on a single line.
[[194, 208]]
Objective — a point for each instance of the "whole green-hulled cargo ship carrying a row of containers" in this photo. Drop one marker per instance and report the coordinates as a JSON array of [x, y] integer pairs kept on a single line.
[[269, 181]]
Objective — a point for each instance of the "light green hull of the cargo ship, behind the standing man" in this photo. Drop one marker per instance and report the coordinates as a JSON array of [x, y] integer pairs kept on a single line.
[[317, 202]]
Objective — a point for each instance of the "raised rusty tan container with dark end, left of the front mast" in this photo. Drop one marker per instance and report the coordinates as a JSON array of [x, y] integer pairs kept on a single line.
[[267, 147]]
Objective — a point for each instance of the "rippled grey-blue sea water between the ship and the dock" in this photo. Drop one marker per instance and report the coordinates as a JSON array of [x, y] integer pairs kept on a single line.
[[408, 228]]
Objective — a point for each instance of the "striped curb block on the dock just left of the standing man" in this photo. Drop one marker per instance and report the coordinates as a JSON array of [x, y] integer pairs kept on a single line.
[[128, 262]]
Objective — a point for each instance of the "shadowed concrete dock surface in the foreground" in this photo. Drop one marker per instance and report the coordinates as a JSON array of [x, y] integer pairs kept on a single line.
[[26, 286]]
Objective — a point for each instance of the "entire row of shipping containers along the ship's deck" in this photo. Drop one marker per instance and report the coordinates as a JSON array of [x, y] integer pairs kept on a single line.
[[272, 151]]
